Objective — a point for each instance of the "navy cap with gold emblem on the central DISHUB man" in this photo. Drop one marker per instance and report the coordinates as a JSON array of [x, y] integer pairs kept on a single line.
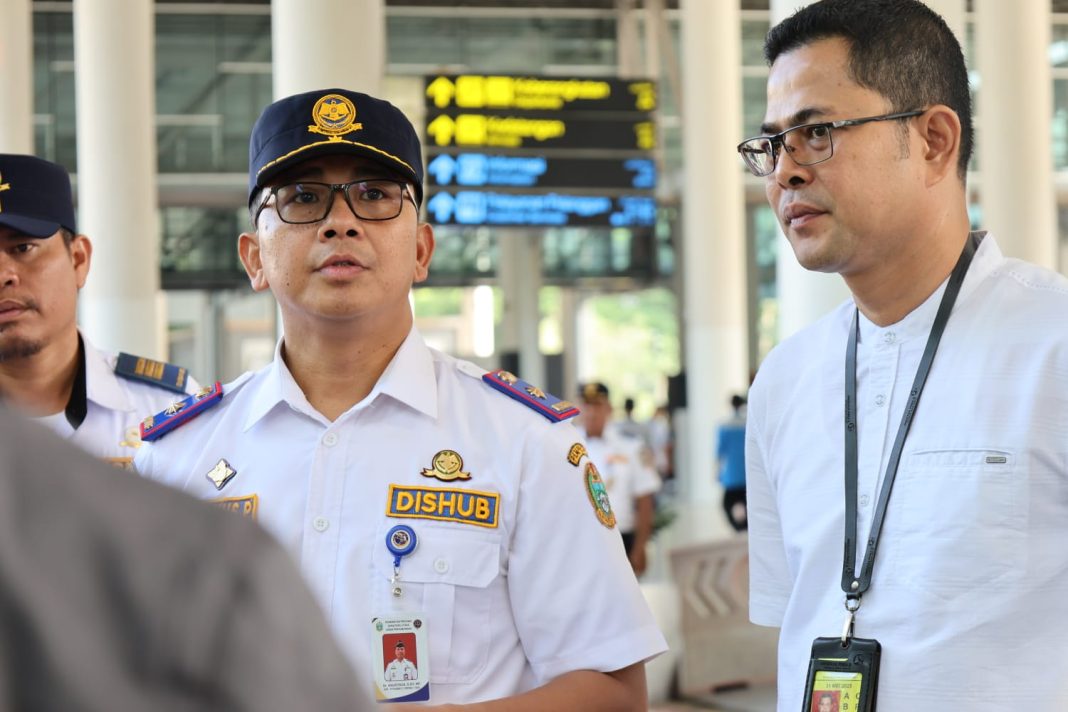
[[328, 122]]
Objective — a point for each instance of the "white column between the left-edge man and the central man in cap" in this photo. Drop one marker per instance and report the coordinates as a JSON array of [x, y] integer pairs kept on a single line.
[[121, 306]]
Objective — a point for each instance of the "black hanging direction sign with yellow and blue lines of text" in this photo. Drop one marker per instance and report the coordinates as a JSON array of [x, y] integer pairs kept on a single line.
[[540, 151]]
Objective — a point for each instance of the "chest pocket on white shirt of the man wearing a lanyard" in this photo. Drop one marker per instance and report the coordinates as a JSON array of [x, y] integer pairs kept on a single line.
[[963, 523]]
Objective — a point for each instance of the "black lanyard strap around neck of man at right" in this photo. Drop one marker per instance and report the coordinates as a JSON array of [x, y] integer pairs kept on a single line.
[[855, 586]]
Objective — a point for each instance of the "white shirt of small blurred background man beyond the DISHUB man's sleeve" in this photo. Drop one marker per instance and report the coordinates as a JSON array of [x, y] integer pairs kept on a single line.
[[626, 477]]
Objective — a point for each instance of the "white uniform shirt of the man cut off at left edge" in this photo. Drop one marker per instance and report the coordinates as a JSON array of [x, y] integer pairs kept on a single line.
[[116, 407]]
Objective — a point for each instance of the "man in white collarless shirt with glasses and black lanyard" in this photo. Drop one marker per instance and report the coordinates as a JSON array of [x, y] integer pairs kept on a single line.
[[869, 136]]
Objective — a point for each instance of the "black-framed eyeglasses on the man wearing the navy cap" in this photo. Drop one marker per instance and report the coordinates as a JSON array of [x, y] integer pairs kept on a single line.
[[308, 201]]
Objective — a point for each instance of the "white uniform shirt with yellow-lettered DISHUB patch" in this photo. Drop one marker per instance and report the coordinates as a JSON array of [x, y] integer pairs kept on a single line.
[[543, 592]]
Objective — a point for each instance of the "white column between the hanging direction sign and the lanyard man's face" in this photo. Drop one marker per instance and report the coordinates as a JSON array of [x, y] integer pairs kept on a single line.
[[714, 232]]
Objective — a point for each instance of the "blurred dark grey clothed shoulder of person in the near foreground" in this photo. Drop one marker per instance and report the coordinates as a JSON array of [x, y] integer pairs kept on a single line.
[[120, 595]]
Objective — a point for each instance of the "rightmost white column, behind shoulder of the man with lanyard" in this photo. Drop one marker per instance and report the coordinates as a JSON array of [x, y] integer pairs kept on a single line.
[[1014, 128]]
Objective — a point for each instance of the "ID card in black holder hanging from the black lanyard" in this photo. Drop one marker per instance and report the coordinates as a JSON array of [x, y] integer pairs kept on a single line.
[[842, 678]]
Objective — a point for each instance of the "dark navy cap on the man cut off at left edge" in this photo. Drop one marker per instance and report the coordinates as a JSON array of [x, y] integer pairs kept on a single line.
[[36, 197]]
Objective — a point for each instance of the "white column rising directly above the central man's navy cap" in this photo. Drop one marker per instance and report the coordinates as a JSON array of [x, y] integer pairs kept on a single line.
[[321, 44]]
